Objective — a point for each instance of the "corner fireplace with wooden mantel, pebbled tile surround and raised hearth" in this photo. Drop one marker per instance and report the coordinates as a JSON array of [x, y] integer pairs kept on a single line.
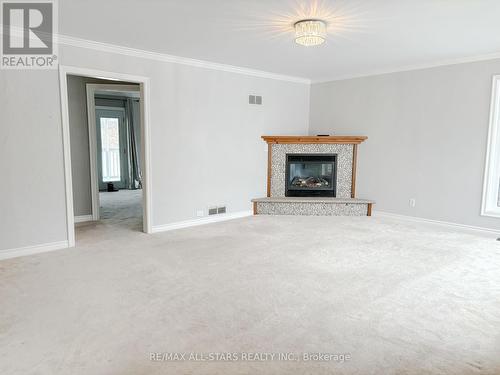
[[312, 175]]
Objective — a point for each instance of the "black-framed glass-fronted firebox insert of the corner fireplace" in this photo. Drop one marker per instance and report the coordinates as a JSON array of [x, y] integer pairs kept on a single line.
[[311, 175]]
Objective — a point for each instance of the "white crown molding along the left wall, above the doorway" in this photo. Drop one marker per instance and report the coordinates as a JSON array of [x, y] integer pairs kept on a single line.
[[143, 54]]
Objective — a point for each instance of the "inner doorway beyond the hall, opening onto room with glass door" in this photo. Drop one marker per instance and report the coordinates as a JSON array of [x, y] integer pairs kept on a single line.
[[115, 147]]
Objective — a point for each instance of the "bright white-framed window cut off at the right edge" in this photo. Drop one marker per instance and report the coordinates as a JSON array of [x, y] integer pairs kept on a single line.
[[491, 190]]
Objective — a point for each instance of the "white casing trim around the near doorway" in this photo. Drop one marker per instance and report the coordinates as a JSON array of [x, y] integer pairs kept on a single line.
[[144, 90]]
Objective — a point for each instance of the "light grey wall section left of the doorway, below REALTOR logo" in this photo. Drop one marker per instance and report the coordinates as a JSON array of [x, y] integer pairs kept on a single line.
[[32, 202]]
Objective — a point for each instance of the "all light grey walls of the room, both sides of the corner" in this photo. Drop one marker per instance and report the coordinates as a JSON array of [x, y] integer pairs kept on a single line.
[[427, 134]]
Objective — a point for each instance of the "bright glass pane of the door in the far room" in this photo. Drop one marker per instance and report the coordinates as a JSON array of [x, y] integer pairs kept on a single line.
[[110, 148]]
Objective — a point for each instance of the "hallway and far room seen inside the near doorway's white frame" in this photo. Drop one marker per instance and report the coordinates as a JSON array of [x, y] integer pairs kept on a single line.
[[105, 139]]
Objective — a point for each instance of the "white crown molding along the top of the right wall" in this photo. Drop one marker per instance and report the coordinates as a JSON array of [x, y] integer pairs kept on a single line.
[[408, 68]]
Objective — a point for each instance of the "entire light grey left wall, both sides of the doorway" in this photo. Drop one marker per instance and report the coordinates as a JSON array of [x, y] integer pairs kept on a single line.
[[206, 147]]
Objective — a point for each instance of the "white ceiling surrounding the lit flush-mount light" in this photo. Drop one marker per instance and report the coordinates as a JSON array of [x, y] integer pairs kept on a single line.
[[365, 36]]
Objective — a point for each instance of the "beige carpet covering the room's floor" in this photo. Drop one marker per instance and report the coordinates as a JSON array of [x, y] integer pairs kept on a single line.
[[395, 297]]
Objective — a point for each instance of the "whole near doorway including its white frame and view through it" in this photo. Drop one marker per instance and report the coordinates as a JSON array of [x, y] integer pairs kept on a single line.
[[106, 149]]
